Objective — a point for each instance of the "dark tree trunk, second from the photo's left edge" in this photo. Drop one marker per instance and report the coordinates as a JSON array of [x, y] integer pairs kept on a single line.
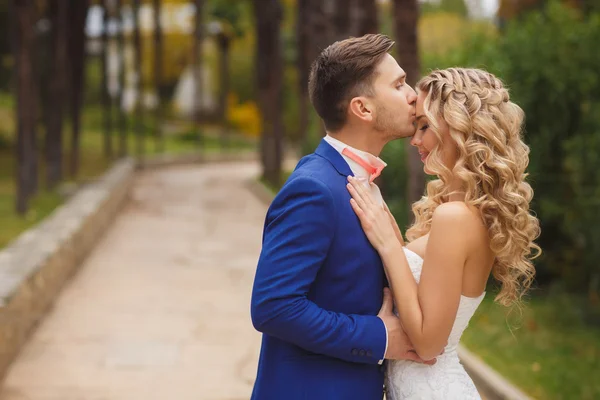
[[57, 93]]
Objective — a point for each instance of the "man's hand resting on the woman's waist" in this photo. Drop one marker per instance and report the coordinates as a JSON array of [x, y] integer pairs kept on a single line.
[[399, 345]]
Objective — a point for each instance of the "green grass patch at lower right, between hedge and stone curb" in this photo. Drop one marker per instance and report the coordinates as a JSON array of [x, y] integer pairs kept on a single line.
[[547, 349]]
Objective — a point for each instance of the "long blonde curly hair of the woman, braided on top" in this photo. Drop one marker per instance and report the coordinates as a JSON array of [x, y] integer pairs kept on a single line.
[[486, 128]]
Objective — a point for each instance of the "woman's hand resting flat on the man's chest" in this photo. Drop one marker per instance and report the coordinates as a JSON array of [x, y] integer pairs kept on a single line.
[[373, 217]]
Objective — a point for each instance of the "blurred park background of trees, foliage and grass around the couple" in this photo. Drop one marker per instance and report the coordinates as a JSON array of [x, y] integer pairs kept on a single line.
[[84, 83]]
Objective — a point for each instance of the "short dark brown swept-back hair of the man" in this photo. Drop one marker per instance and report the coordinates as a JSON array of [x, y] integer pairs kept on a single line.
[[342, 71]]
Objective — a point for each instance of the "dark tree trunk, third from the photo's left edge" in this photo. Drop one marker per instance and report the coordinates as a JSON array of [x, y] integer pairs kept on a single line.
[[77, 55]]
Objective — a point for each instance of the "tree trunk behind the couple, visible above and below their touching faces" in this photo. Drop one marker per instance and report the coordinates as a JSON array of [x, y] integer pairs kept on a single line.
[[406, 14]]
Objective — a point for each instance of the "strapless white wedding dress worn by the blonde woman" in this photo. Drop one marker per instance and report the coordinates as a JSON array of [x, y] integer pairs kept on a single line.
[[447, 379]]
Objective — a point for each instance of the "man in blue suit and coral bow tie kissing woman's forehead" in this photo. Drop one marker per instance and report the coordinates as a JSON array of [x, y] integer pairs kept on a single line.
[[318, 290]]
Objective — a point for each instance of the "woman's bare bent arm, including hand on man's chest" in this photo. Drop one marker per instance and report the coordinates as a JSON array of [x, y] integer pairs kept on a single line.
[[427, 310]]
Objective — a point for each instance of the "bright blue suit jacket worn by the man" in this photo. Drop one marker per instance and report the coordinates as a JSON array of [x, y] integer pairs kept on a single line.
[[317, 291]]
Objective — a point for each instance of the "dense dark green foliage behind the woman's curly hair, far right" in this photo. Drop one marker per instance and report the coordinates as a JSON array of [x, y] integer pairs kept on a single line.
[[549, 59]]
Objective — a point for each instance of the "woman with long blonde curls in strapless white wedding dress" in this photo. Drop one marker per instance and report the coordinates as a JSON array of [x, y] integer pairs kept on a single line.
[[474, 221]]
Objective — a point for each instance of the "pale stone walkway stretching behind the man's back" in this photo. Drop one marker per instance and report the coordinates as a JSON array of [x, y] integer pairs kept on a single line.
[[160, 309]]
